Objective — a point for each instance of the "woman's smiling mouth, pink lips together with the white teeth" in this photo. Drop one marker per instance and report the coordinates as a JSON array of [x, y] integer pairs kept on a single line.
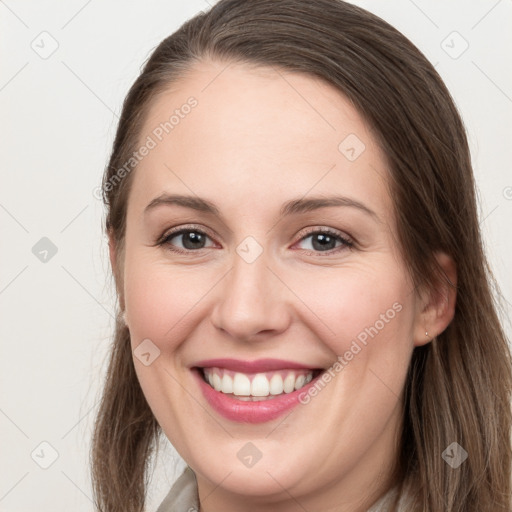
[[253, 391]]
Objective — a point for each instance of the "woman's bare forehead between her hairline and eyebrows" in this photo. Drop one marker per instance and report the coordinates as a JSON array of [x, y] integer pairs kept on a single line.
[[262, 132]]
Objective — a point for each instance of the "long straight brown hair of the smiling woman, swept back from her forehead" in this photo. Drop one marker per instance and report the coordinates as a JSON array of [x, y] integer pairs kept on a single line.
[[458, 386]]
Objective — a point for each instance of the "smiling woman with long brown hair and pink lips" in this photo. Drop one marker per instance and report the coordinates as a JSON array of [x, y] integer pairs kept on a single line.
[[305, 309]]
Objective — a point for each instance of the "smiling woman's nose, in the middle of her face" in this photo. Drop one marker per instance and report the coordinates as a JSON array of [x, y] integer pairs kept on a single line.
[[252, 302]]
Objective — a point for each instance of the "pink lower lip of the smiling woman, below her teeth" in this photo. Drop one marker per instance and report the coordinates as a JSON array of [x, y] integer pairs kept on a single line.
[[248, 411]]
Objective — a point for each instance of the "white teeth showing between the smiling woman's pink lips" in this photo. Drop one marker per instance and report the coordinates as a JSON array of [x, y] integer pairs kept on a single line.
[[256, 386]]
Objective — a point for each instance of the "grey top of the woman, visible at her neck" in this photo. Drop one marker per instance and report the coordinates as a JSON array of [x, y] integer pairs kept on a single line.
[[183, 496]]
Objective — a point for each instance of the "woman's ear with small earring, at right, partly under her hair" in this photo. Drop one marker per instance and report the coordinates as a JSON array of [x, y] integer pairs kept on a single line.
[[436, 306]]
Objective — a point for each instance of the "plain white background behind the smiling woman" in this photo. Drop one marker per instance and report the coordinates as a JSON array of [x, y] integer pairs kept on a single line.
[[58, 121]]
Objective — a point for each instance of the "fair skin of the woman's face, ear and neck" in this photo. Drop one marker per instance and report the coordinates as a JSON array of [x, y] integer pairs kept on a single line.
[[257, 139]]
